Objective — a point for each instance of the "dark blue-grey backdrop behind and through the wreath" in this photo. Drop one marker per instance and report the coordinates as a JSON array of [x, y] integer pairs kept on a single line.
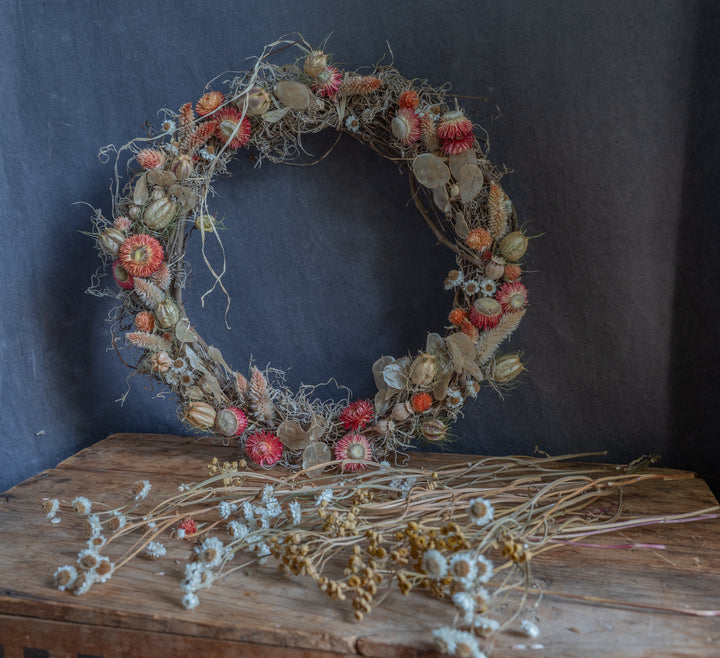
[[606, 112]]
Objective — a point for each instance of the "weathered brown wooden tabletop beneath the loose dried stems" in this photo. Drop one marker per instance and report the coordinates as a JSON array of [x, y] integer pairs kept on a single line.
[[264, 613]]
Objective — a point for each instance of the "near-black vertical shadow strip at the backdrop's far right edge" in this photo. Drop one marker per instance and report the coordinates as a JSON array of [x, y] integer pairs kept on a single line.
[[695, 385]]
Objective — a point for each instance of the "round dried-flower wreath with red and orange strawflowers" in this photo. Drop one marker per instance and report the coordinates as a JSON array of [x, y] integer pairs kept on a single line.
[[267, 111]]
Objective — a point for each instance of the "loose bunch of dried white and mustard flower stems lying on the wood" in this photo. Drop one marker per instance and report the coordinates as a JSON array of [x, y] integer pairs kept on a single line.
[[466, 533]]
